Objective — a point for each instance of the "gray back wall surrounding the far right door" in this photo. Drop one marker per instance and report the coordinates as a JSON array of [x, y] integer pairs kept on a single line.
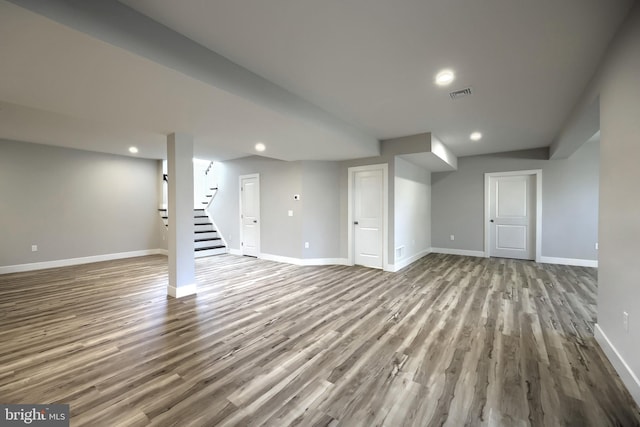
[[569, 201]]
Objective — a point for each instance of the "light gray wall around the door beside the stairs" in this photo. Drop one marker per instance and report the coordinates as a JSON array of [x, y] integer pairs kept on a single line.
[[315, 216]]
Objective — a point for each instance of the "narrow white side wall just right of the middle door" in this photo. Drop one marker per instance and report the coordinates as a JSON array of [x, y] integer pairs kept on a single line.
[[412, 204]]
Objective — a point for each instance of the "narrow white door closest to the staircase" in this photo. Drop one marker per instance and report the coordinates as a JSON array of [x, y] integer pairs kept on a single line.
[[250, 215]]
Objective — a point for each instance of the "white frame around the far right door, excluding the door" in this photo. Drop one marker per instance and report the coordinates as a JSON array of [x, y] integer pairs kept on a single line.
[[537, 173]]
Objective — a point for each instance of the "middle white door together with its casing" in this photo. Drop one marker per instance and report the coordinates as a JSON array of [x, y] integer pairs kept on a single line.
[[368, 216]]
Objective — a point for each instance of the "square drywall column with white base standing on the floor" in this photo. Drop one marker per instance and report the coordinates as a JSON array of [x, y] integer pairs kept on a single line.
[[182, 279]]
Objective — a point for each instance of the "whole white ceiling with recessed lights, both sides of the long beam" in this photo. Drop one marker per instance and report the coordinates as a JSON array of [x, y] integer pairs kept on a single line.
[[369, 63]]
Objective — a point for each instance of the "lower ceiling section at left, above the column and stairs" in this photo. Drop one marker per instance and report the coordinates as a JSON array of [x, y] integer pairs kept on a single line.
[[63, 87]]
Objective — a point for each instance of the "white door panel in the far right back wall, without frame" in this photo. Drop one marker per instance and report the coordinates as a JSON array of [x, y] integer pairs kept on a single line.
[[512, 216]]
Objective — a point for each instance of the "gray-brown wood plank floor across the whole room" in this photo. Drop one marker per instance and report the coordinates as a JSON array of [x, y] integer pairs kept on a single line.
[[450, 340]]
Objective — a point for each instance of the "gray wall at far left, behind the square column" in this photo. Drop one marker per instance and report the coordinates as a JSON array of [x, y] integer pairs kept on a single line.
[[74, 203]]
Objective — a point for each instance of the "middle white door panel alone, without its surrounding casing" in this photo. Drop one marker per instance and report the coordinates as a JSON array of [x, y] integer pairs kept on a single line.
[[368, 217]]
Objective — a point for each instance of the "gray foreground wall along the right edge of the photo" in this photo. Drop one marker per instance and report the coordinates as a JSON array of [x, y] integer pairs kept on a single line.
[[619, 266]]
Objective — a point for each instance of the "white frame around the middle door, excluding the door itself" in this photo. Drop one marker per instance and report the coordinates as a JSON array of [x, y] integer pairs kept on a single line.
[[385, 211]]
